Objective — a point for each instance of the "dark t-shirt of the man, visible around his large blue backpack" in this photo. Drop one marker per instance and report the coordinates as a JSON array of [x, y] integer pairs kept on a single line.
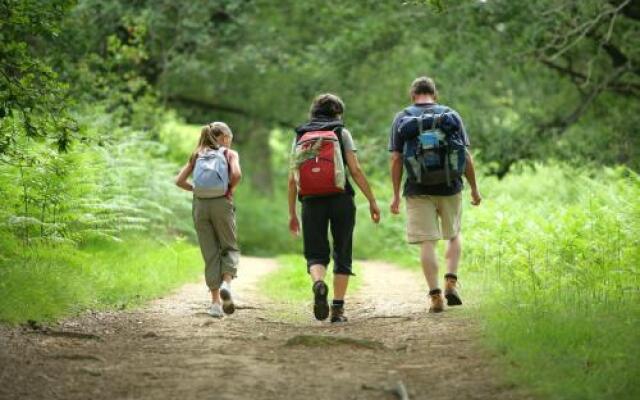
[[396, 143]]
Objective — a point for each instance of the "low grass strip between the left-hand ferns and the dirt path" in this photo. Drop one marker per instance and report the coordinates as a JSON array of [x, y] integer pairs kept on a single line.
[[48, 282]]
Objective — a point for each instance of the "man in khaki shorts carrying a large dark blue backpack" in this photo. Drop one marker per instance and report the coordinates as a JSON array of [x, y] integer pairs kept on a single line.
[[429, 141]]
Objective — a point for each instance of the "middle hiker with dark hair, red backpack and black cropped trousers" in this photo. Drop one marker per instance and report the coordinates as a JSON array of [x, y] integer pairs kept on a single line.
[[323, 156]]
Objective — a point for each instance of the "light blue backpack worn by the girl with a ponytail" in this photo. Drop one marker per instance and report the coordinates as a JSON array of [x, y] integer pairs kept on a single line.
[[211, 174]]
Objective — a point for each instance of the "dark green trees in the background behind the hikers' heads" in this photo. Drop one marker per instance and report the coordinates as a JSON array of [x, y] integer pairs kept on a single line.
[[558, 87]]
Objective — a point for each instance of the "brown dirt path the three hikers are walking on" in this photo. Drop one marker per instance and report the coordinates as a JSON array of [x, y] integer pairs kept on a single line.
[[172, 349]]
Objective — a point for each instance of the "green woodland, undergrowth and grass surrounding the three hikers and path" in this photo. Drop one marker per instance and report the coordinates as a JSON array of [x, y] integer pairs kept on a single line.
[[101, 103]]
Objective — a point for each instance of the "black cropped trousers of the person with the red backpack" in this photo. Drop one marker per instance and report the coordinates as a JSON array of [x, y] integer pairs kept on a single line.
[[320, 213]]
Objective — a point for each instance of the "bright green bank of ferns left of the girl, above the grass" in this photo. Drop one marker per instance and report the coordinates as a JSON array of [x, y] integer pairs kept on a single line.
[[103, 191]]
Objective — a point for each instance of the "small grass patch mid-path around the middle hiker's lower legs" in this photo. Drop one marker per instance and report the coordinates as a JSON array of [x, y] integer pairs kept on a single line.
[[291, 283]]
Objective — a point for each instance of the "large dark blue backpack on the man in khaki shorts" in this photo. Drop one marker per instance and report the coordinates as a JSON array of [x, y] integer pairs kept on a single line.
[[434, 149]]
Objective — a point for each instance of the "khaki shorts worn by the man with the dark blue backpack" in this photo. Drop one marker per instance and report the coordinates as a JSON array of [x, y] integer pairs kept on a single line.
[[433, 217]]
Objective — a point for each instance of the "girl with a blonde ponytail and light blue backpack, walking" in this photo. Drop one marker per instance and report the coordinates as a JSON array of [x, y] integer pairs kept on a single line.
[[216, 174]]
